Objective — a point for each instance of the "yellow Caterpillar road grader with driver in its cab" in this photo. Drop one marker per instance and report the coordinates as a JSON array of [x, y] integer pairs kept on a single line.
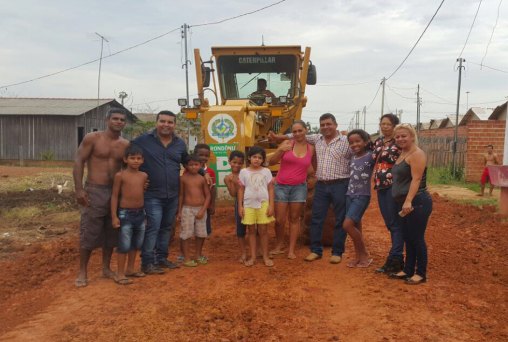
[[240, 114]]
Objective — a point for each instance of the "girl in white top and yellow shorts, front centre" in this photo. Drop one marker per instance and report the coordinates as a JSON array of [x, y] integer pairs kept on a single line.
[[256, 202]]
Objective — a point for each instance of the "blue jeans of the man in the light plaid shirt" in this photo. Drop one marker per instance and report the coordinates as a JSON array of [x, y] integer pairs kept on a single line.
[[324, 195]]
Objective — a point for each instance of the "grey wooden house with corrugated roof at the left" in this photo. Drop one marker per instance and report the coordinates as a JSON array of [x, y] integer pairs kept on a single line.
[[49, 128]]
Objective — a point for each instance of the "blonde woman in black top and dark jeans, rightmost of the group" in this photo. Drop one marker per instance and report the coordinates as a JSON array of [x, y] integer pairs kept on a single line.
[[414, 203]]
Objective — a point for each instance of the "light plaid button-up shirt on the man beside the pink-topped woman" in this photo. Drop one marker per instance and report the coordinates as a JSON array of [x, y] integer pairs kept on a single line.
[[333, 158]]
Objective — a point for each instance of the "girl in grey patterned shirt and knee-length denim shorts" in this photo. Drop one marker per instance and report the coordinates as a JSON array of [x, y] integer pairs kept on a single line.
[[358, 194]]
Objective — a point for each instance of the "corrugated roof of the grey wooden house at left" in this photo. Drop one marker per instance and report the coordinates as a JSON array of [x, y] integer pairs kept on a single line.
[[48, 106]]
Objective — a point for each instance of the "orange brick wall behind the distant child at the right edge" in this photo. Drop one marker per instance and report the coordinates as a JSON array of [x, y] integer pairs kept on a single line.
[[480, 134]]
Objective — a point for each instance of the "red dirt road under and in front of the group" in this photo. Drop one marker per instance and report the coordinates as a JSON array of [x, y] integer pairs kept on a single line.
[[465, 298]]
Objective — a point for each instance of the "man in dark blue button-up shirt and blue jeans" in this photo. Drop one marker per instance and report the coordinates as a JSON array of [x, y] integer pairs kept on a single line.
[[163, 152]]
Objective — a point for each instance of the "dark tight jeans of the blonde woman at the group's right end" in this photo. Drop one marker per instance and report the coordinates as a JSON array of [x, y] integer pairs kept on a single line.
[[413, 229]]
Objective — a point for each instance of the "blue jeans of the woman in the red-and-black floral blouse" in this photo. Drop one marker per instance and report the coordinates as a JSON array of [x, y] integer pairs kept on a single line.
[[390, 214]]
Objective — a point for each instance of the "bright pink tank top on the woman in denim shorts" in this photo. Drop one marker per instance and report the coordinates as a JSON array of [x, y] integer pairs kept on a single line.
[[293, 170]]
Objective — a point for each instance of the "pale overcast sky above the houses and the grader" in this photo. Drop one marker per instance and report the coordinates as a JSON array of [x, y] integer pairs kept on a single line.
[[352, 42]]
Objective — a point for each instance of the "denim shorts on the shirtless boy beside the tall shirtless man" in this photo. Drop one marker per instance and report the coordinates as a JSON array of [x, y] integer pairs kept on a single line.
[[132, 229]]
